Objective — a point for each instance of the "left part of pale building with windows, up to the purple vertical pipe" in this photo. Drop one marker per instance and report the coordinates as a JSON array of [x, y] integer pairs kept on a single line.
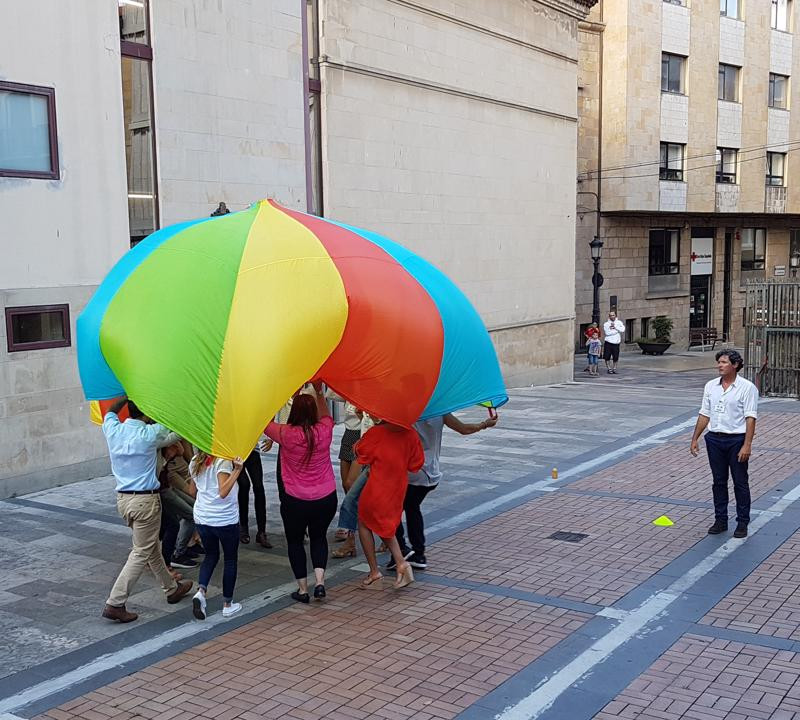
[[158, 114]]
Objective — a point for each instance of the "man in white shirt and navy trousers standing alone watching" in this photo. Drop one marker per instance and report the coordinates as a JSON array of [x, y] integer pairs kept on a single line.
[[729, 411]]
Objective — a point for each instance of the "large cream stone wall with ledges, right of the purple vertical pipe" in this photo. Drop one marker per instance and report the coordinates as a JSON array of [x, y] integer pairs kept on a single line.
[[430, 139]]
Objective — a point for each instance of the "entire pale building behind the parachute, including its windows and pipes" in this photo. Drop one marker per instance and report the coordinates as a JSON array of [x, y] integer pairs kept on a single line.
[[426, 120]]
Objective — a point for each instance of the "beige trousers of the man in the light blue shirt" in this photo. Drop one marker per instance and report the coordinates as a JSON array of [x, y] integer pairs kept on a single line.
[[142, 513]]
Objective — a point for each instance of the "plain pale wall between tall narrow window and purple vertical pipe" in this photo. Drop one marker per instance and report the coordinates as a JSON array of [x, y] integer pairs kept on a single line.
[[229, 105]]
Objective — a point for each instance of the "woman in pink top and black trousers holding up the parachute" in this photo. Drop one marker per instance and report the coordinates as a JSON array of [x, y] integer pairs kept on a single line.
[[309, 501]]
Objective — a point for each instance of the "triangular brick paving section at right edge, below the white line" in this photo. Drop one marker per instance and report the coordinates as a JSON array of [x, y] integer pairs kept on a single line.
[[768, 600]]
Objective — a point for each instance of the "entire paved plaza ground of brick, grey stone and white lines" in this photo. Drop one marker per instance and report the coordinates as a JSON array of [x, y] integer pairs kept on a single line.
[[622, 619]]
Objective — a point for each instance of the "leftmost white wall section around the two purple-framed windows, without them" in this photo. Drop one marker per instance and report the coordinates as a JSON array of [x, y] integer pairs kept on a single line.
[[59, 237]]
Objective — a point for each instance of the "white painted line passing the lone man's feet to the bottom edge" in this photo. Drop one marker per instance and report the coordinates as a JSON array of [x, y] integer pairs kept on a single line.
[[551, 688]]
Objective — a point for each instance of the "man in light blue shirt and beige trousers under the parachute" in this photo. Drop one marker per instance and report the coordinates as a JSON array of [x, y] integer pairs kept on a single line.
[[132, 446]]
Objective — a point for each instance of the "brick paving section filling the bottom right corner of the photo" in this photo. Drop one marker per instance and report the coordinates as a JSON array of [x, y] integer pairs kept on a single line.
[[701, 678]]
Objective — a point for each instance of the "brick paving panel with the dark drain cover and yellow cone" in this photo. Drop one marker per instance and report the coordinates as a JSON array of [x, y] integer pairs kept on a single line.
[[623, 549]]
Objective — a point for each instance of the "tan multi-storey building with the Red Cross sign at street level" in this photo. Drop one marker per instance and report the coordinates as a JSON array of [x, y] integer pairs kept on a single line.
[[687, 136]]
